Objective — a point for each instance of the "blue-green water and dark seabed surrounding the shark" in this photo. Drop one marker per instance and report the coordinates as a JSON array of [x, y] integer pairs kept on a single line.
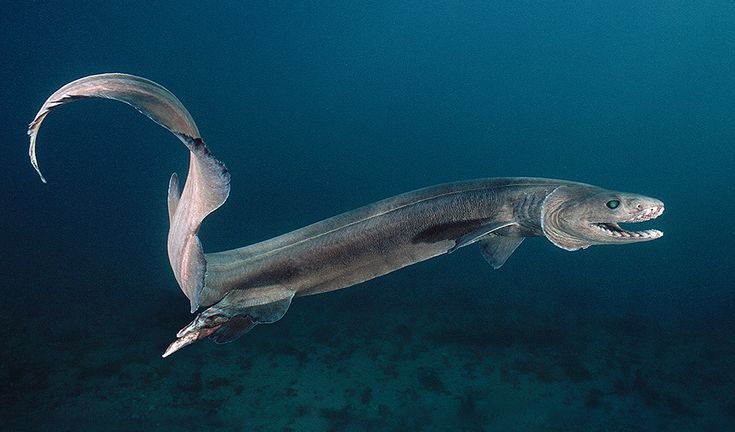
[[321, 107]]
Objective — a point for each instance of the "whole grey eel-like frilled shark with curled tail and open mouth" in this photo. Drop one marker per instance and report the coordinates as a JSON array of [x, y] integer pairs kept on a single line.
[[240, 288]]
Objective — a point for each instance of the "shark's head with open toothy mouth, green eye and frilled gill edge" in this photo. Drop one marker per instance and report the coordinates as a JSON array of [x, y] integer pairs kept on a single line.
[[577, 216]]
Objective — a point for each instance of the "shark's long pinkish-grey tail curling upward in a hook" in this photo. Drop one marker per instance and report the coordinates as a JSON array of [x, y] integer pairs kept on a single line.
[[207, 185]]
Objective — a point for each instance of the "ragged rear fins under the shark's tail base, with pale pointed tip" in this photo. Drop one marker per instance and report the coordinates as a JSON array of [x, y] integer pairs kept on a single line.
[[236, 314]]
